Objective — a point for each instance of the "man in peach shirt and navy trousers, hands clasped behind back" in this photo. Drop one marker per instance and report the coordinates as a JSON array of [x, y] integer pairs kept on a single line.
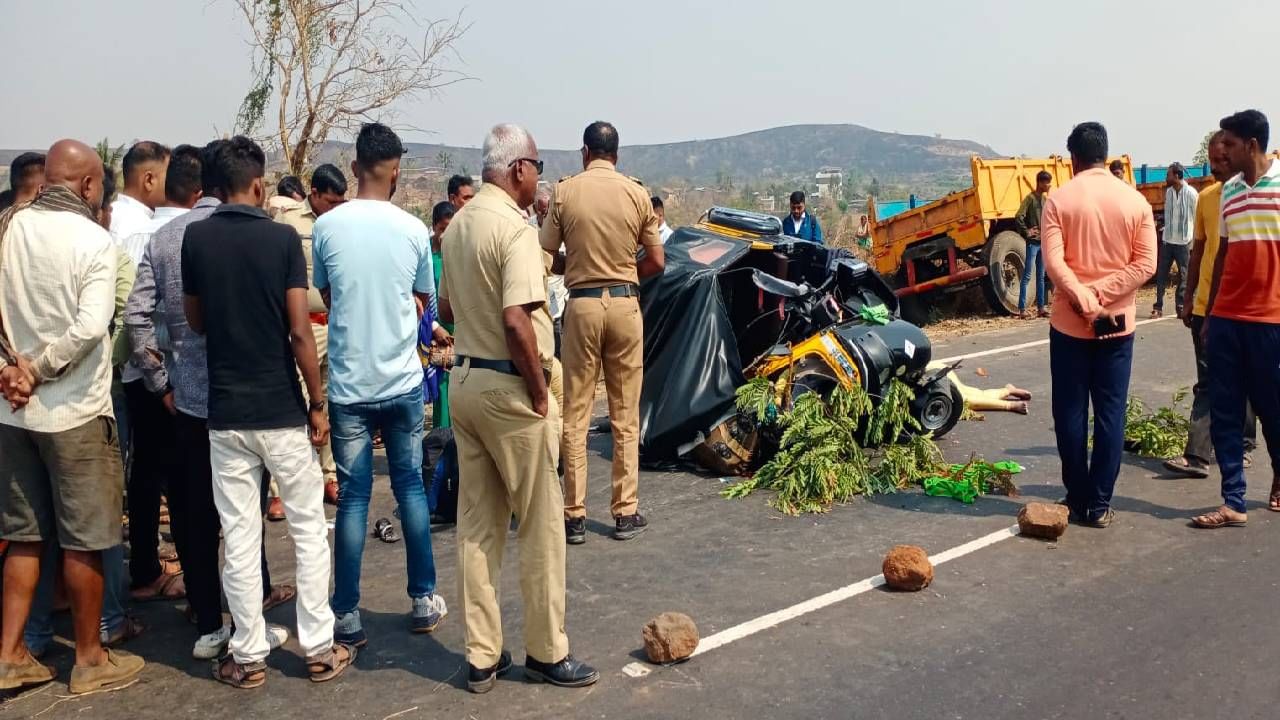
[[1100, 247]]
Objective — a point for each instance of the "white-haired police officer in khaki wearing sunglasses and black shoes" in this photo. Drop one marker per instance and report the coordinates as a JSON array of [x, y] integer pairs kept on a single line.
[[506, 425]]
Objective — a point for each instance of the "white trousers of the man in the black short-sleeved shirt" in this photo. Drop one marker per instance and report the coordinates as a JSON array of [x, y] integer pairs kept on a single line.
[[239, 458]]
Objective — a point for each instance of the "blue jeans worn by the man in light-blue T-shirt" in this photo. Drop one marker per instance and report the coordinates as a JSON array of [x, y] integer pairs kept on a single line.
[[353, 432]]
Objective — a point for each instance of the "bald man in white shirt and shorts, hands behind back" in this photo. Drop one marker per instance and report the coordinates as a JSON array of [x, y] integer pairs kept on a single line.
[[61, 473]]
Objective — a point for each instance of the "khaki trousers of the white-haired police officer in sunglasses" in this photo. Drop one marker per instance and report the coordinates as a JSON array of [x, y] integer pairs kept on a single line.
[[508, 464]]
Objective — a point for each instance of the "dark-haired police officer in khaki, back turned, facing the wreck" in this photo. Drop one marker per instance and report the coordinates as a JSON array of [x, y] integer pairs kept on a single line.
[[604, 220]]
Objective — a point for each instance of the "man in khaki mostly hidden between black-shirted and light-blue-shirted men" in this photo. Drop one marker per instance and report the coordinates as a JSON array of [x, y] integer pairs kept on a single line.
[[328, 192]]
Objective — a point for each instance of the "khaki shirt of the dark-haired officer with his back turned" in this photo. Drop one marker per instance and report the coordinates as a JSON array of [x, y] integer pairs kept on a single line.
[[602, 218]]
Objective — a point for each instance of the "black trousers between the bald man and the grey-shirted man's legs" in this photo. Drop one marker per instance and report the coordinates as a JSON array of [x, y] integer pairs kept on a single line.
[[152, 466]]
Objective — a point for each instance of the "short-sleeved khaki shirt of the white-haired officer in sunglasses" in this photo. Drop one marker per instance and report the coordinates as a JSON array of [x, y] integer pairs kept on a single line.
[[492, 262]]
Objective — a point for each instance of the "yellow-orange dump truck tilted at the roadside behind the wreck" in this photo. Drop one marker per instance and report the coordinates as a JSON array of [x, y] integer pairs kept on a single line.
[[967, 238]]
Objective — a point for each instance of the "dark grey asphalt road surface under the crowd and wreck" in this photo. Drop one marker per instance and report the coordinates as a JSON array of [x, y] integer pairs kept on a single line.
[[1146, 619]]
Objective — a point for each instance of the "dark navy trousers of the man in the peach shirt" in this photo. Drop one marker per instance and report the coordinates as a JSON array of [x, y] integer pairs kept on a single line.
[[1084, 371]]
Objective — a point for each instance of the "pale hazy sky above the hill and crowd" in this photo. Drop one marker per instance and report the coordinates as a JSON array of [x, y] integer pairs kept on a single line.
[[1014, 75]]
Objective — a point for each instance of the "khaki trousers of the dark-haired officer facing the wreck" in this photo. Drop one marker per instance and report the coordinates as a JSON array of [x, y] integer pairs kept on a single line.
[[604, 332]]
